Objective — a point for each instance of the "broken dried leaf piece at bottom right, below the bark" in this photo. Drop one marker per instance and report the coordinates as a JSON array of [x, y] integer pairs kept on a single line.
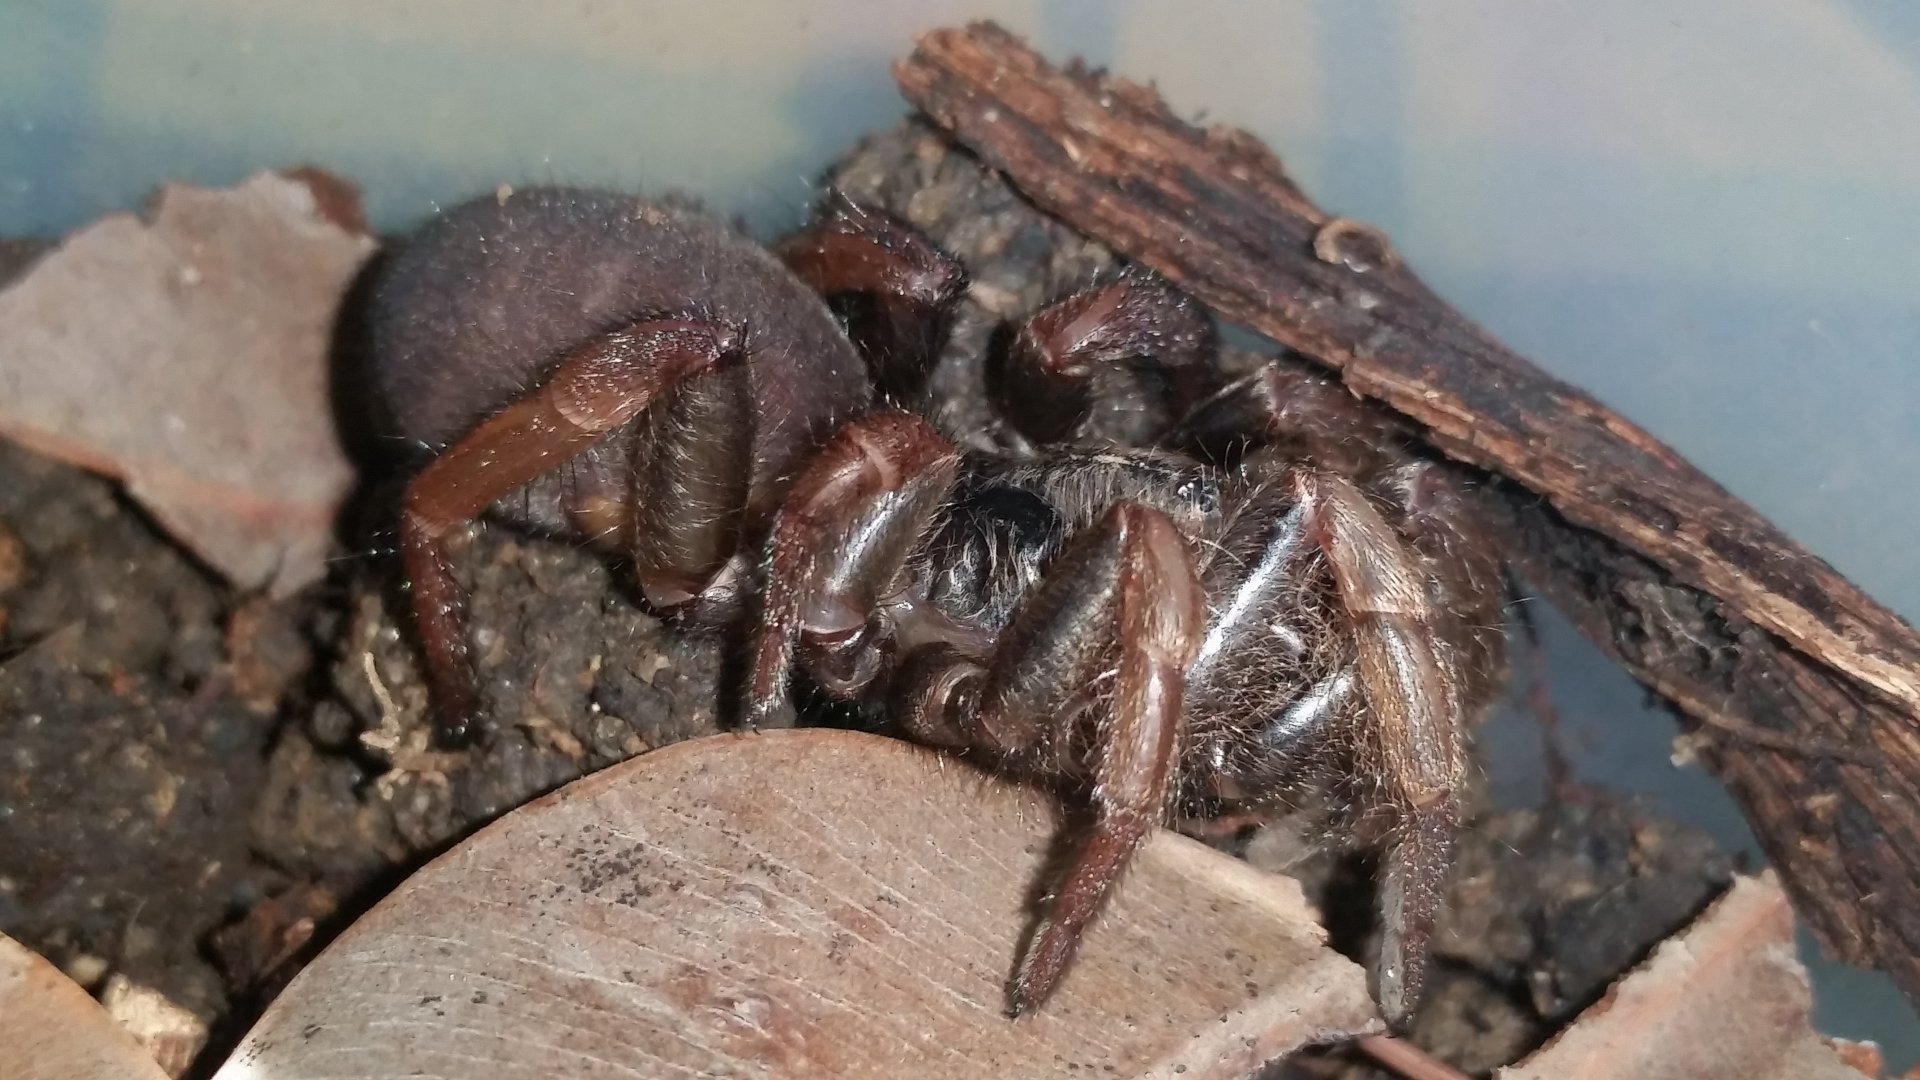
[[1723, 1000]]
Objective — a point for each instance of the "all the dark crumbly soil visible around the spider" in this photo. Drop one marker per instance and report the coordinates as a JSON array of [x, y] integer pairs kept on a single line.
[[199, 787]]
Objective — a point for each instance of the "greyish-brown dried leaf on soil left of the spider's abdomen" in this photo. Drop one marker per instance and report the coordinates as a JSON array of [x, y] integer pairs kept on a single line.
[[189, 356]]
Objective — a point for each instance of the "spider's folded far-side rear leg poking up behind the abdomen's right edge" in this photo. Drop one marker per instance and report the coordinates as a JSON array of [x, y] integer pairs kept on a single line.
[[892, 285]]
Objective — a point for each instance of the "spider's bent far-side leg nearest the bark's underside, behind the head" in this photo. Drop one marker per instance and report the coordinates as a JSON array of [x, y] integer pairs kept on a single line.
[[1045, 380]]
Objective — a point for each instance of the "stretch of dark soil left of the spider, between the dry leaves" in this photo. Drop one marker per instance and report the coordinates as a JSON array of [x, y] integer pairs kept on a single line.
[[193, 779]]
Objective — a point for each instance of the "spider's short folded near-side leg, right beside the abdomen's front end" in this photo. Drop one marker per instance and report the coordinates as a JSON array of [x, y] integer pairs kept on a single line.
[[840, 547]]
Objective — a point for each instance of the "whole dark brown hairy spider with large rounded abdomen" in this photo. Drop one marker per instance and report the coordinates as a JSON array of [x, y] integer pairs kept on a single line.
[[1266, 597]]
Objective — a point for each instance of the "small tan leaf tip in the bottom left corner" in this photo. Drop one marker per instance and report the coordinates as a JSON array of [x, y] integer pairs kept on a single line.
[[53, 1031]]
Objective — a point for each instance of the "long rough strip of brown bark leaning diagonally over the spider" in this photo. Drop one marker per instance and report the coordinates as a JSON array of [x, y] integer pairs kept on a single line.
[[1810, 691]]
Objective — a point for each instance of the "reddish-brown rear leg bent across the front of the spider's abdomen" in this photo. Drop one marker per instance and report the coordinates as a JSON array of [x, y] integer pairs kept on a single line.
[[588, 395]]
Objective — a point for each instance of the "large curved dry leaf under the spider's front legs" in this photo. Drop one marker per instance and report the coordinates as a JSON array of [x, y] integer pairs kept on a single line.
[[800, 904]]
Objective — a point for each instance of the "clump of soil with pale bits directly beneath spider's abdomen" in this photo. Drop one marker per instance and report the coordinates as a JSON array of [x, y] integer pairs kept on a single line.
[[575, 674]]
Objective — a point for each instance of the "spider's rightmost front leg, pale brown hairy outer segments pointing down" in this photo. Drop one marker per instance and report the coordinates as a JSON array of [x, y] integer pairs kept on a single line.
[[1414, 725]]
